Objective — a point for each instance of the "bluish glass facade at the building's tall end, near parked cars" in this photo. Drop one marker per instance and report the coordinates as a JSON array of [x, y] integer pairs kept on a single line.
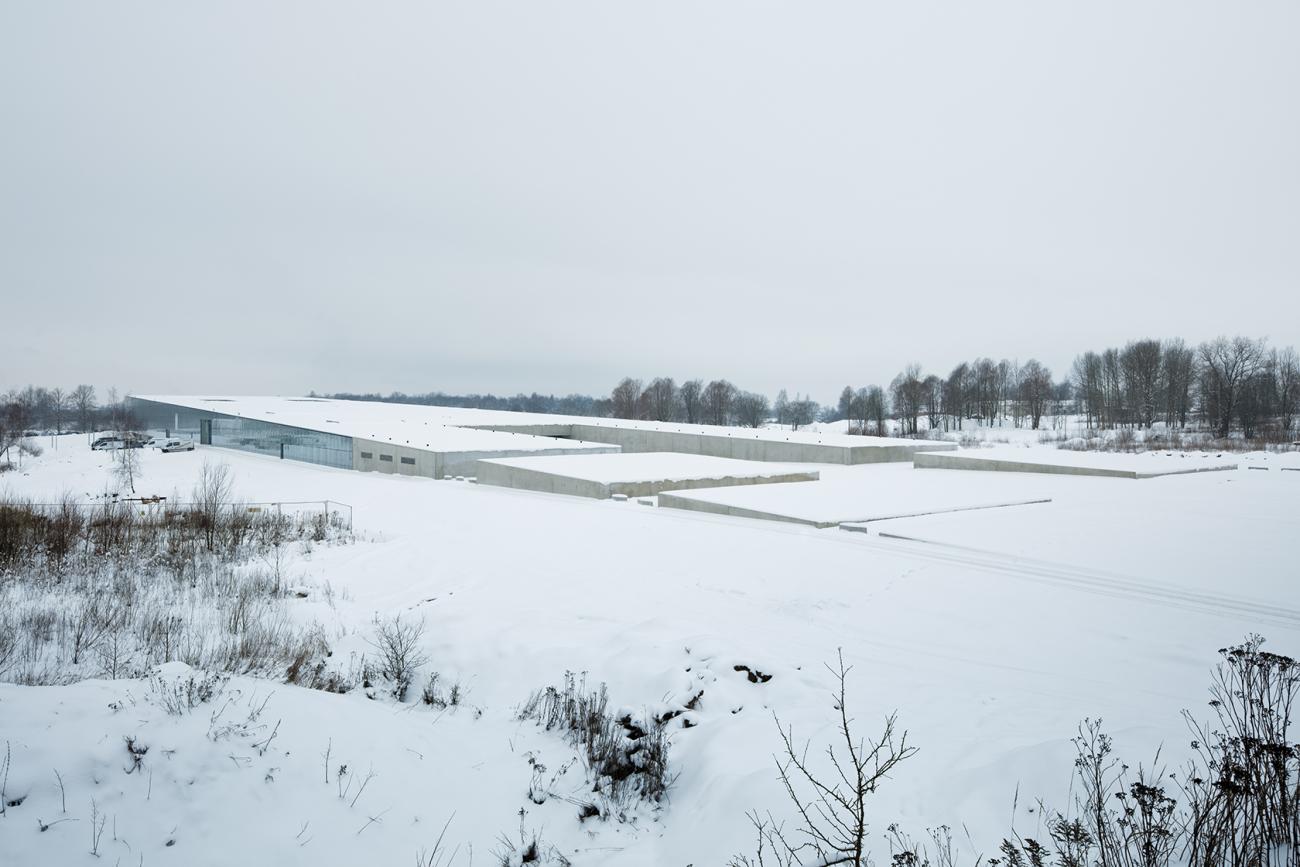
[[214, 428]]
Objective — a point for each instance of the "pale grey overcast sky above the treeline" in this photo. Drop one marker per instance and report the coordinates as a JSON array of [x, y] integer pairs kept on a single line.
[[515, 197]]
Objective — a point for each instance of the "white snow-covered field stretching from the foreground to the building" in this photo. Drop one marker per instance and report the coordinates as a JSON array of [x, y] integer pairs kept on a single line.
[[993, 634]]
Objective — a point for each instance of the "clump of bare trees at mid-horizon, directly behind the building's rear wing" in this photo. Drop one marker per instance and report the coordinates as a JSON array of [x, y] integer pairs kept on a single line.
[[714, 404]]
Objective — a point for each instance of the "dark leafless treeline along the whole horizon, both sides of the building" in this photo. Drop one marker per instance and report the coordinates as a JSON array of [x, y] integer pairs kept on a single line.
[[1224, 387]]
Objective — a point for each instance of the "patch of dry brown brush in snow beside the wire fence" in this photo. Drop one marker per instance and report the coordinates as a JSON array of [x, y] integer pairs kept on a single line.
[[111, 592]]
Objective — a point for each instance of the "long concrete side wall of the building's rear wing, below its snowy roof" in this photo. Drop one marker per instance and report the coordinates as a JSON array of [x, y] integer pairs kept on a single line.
[[639, 440]]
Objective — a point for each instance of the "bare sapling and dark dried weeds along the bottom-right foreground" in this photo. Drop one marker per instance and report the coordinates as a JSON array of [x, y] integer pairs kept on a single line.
[[1236, 803]]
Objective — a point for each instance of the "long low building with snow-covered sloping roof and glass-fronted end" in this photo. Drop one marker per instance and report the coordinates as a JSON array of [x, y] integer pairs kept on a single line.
[[448, 441]]
